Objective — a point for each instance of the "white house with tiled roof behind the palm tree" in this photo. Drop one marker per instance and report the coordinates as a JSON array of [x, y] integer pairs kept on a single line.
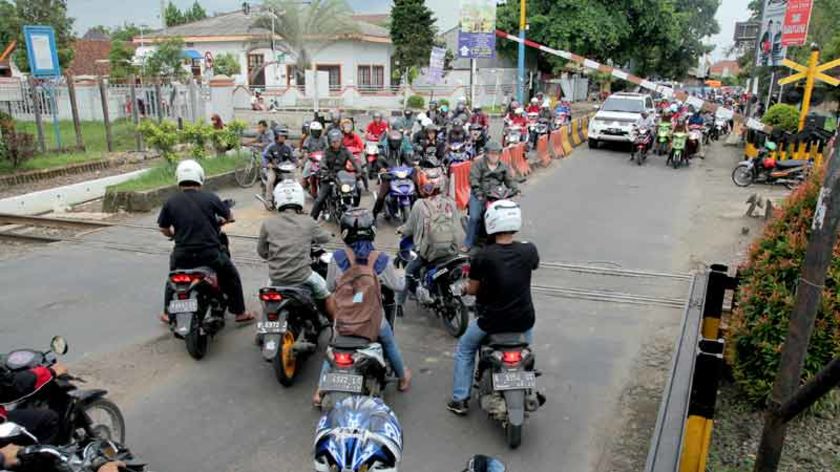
[[362, 61]]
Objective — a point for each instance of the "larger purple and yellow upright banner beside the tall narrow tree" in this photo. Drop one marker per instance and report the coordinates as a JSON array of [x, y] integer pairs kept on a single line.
[[477, 32]]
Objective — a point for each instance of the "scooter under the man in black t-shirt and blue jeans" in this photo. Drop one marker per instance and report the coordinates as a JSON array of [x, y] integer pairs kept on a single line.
[[506, 382]]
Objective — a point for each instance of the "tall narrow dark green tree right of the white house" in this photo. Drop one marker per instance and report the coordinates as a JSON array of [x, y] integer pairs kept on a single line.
[[412, 33]]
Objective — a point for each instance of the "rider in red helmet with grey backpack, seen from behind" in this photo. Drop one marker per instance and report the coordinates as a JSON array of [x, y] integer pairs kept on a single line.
[[433, 227]]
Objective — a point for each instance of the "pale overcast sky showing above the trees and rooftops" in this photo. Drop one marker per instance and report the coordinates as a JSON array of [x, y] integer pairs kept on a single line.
[[115, 12]]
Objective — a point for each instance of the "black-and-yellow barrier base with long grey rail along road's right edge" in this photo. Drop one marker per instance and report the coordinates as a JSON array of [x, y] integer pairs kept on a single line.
[[683, 429]]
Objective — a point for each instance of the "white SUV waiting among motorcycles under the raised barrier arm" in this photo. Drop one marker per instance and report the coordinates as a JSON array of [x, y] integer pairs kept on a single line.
[[615, 119]]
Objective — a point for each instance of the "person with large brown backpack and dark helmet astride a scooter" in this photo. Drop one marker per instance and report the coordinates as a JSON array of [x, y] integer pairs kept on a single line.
[[355, 277]]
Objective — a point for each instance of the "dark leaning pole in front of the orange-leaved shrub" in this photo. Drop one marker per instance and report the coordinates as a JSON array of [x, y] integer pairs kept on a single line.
[[808, 294]]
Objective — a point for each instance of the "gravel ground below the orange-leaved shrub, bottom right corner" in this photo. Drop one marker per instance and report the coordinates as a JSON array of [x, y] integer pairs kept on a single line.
[[812, 442]]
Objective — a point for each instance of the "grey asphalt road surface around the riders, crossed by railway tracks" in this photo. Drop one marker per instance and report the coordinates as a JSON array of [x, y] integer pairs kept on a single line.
[[227, 413]]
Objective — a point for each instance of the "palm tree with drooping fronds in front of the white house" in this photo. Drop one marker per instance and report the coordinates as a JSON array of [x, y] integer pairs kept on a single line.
[[308, 28]]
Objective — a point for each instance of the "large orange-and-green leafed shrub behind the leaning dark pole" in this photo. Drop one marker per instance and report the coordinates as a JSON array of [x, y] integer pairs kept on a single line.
[[766, 296]]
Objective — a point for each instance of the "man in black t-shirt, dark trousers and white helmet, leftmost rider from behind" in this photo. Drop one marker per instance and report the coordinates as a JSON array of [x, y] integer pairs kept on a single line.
[[193, 219]]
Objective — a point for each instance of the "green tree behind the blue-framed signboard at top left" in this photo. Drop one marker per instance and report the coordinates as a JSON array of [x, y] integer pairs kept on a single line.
[[43, 12]]
